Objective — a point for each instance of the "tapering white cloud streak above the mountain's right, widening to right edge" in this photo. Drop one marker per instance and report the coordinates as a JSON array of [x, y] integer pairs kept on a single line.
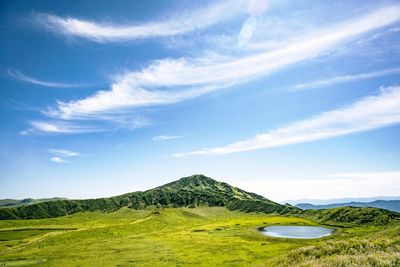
[[366, 114]]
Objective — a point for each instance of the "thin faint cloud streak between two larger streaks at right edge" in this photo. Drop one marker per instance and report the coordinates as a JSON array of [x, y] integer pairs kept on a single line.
[[345, 78]]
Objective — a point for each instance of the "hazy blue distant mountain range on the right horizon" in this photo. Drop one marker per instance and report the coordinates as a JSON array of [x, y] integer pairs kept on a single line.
[[392, 205]]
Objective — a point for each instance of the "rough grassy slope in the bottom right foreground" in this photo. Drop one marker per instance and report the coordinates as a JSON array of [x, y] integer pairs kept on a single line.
[[369, 246]]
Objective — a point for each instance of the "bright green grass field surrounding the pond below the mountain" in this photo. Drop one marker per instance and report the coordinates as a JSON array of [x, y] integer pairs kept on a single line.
[[182, 236]]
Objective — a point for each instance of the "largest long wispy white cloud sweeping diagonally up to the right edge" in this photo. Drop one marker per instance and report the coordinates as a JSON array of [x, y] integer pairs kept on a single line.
[[173, 80]]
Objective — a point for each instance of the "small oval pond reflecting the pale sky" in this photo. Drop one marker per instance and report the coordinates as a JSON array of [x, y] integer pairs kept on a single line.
[[287, 231]]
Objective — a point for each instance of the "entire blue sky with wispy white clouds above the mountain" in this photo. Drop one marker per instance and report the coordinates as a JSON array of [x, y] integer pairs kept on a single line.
[[288, 99]]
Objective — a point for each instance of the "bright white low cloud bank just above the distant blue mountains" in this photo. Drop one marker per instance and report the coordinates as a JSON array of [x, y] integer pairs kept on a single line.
[[336, 186]]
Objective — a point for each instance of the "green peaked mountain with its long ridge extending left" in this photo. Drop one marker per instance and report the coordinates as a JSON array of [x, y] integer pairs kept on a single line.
[[196, 190]]
